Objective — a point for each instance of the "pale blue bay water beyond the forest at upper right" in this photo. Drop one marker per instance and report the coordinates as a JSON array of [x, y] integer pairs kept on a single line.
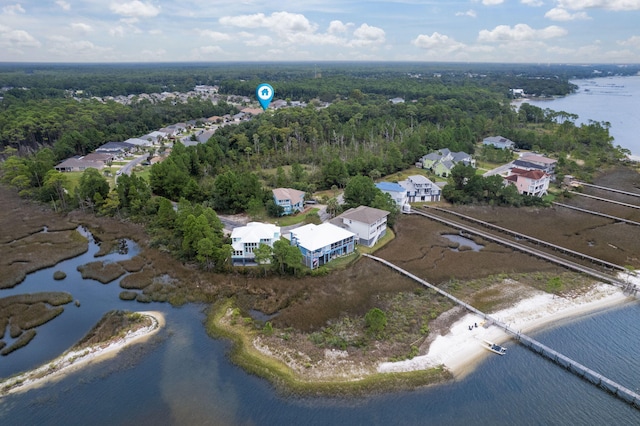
[[612, 99]]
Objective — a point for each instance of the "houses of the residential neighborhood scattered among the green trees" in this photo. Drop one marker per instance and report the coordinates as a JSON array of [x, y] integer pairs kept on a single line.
[[336, 237]]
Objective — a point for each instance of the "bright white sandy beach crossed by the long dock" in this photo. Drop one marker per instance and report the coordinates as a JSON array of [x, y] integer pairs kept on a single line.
[[460, 350]]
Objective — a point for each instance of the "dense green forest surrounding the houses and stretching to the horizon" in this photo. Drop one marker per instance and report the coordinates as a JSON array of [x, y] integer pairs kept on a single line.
[[348, 135]]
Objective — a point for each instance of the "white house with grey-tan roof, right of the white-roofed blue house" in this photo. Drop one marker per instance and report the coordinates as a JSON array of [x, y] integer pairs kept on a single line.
[[368, 223]]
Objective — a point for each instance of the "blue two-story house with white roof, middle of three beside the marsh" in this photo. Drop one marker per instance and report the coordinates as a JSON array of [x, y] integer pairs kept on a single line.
[[320, 244]]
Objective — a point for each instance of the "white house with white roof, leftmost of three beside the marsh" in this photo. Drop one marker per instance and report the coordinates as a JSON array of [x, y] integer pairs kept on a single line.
[[245, 239]]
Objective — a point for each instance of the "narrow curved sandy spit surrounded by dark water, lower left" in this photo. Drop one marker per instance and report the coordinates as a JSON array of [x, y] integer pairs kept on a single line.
[[73, 360]]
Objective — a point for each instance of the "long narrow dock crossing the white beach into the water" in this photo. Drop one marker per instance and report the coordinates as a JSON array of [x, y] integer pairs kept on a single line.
[[575, 367]]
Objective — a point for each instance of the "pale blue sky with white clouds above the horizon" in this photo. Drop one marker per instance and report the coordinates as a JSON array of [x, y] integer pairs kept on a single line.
[[548, 31]]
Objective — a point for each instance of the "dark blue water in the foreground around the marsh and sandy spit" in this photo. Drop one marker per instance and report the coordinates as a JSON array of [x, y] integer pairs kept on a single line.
[[184, 377]]
